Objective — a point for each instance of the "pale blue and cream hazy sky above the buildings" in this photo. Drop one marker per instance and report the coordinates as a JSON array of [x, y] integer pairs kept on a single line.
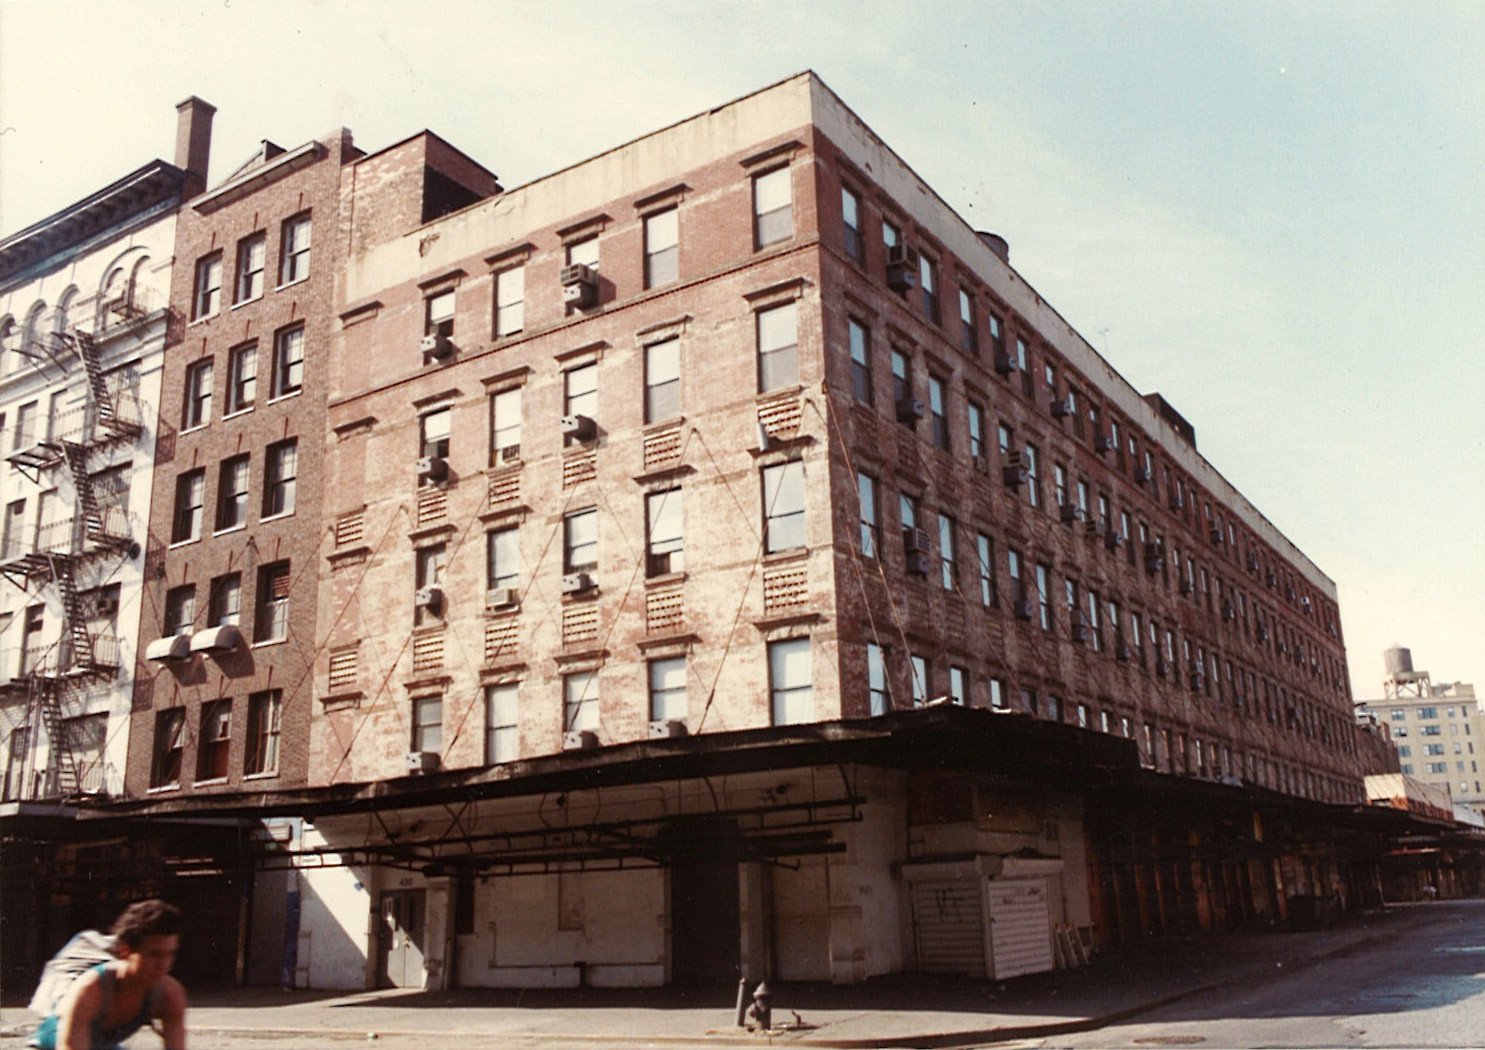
[[1270, 213]]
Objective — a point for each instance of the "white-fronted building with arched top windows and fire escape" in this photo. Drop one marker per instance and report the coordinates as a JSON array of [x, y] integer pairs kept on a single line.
[[84, 323]]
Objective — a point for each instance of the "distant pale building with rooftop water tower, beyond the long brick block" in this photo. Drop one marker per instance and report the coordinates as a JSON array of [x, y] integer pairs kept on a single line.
[[1435, 728]]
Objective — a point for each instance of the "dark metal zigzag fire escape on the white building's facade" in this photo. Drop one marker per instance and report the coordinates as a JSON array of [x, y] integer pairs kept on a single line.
[[62, 550]]
